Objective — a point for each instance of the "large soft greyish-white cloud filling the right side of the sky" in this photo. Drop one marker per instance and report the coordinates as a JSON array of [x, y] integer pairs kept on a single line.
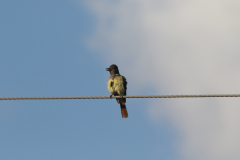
[[182, 47]]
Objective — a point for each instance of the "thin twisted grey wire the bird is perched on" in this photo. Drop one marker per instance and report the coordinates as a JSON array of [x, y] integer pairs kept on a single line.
[[108, 97]]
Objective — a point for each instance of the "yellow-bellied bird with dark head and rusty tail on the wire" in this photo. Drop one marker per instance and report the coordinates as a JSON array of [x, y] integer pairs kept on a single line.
[[117, 86]]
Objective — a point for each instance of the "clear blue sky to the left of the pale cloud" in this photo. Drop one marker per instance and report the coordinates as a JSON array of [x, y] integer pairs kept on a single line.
[[44, 53]]
